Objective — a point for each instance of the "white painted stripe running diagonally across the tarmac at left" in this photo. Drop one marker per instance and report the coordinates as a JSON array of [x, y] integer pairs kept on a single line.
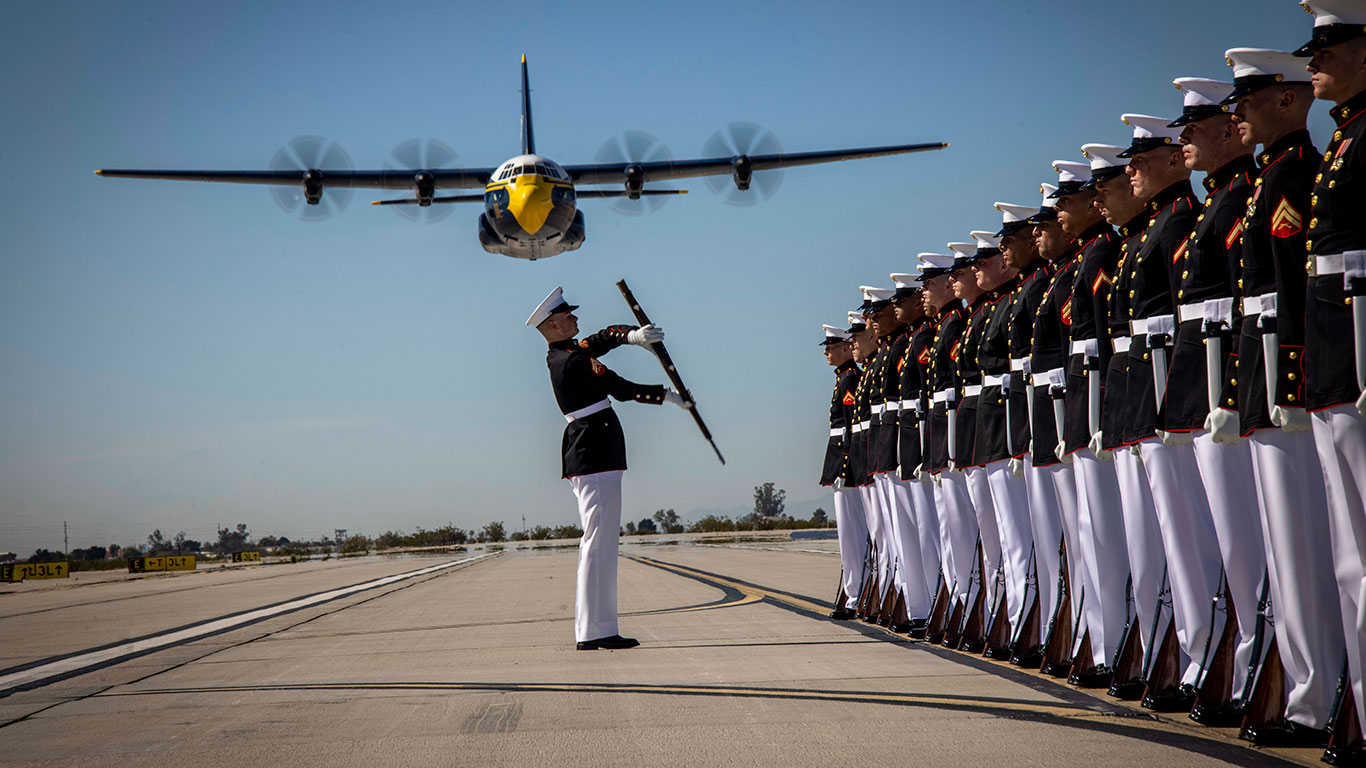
[[65, 668]]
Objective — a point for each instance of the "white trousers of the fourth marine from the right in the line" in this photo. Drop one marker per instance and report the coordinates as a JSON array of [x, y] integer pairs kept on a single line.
[[1193, 557]]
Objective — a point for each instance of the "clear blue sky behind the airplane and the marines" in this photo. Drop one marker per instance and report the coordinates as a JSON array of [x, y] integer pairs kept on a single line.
[[184, 356]]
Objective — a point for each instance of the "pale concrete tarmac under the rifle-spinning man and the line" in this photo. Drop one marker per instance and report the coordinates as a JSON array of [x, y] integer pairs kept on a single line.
[[475, 665]]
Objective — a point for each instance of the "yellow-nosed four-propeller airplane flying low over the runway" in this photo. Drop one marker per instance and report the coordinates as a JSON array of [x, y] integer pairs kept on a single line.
[[531, 203]]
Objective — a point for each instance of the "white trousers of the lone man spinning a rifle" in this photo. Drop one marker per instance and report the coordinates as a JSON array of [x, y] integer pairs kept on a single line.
[[600, 513]]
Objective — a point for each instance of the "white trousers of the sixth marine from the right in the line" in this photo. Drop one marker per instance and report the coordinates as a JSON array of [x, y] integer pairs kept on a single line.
[[1104, 556]]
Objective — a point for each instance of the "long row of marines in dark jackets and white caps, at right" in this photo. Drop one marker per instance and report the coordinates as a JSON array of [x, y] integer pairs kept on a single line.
[[1124, 438]]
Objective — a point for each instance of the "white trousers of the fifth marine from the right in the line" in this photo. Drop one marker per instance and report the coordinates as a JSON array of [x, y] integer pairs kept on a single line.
[[1147, 560]]
